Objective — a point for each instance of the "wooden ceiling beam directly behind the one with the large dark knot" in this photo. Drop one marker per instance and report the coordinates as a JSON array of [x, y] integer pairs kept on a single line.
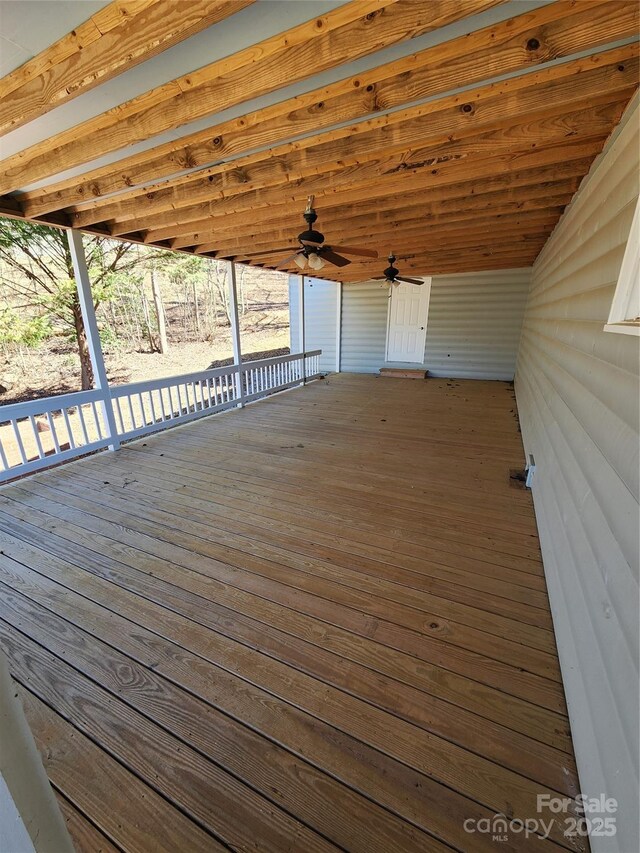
[[555, 92]]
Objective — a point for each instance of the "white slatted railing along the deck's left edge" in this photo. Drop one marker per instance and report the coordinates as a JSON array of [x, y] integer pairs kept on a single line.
[[44, 432]]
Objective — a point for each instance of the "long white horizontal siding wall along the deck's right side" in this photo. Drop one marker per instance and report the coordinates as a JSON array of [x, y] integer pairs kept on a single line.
[[577, 393]]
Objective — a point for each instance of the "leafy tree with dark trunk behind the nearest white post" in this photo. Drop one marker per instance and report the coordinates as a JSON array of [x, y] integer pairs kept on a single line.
[[41, 256]]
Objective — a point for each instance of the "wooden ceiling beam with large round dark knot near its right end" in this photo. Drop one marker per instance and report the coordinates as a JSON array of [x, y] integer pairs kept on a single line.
[[559, 29]]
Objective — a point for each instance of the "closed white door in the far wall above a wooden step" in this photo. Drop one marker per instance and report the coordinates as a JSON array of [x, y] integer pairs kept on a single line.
[[407, 330]]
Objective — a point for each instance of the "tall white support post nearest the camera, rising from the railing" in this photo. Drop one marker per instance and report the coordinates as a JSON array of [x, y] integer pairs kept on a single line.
[[83, 285]]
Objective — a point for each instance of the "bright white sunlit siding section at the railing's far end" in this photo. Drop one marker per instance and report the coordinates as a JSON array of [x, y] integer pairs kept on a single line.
[[321, 318]]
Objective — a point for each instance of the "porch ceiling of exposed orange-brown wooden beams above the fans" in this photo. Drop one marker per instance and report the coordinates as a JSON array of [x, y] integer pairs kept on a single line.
[[453, 132]]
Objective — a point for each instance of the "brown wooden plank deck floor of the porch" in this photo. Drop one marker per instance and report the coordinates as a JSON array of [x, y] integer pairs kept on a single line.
[[317, 623]]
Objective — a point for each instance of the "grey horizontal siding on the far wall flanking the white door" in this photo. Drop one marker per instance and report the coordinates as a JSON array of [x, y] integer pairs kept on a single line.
[[473, 326]]
